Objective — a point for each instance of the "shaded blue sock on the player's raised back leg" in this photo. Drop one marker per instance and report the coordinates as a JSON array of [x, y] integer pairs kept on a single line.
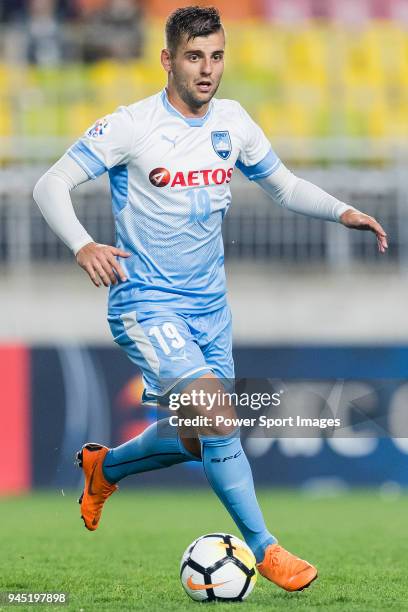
[[158, 446]]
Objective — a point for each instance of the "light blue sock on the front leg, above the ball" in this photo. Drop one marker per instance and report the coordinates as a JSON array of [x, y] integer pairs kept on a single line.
[[229, 473]]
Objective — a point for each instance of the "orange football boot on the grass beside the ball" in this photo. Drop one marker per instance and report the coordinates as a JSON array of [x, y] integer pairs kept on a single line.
[[286, 570]]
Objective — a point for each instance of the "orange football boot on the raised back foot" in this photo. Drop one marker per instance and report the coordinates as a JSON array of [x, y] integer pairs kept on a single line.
[[97, 489]]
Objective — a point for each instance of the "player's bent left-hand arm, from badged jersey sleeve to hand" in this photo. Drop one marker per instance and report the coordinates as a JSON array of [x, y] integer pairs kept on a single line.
[[104, 146]]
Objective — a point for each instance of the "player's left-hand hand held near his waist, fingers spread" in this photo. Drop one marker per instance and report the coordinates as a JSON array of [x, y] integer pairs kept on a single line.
[[100, 263]]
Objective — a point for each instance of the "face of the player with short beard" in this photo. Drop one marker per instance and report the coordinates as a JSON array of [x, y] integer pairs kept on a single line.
[[196, 68]]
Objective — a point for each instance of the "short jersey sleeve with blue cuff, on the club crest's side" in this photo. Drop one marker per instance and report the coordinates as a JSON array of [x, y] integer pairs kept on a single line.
[[256, 159]]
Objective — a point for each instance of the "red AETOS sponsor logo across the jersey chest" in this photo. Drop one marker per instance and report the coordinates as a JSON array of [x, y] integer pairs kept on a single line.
[[161, 177]]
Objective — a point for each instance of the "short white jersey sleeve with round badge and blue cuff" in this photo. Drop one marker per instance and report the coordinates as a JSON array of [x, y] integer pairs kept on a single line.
[[107, 143]]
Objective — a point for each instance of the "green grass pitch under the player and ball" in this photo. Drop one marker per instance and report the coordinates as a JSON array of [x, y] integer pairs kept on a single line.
[[357, 540]]
